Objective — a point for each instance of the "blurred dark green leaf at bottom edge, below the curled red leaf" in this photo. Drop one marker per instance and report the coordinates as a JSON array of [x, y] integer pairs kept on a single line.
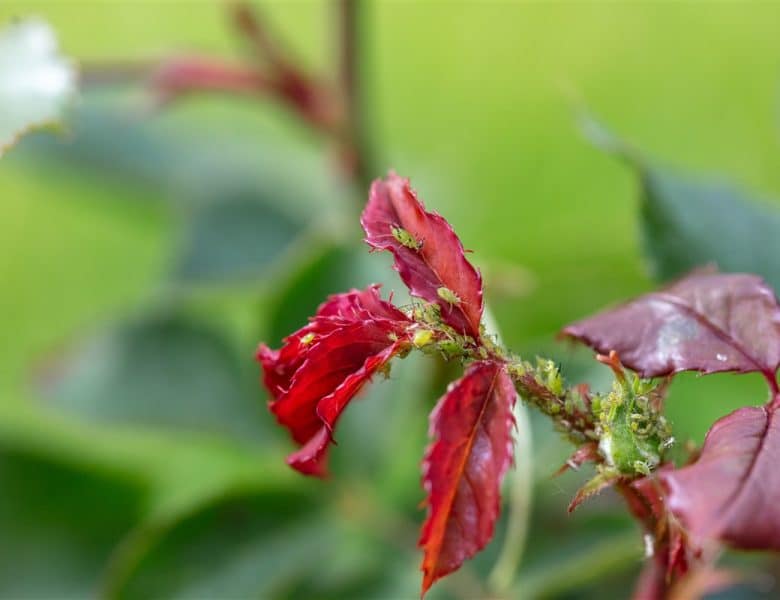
[[249, 547]]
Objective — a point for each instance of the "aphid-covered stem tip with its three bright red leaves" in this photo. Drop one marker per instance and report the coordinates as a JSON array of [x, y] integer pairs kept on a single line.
[[621, 432]]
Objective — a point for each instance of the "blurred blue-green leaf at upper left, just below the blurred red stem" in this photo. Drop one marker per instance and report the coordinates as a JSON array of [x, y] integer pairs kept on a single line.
[[187, 159]]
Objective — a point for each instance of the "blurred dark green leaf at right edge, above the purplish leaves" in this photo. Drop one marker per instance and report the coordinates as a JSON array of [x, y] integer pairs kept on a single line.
[[689, 222]]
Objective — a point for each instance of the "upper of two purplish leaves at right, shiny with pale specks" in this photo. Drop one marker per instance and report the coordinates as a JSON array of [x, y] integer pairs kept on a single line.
[[705, 322]]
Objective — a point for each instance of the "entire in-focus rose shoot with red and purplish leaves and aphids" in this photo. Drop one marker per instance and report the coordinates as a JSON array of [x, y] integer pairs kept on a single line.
[[706, 322]]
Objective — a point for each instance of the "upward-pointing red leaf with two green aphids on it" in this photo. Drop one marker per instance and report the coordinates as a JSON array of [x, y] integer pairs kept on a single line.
[[428, 254]]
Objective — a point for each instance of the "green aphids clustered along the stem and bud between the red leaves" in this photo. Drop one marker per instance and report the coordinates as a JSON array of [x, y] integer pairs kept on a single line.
[[625, 425]]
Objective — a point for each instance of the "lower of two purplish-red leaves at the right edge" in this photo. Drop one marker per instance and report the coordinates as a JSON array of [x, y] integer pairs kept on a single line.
[[731, 492]]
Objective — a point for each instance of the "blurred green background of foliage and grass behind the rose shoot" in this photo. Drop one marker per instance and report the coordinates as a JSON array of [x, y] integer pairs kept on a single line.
[[144, 254]]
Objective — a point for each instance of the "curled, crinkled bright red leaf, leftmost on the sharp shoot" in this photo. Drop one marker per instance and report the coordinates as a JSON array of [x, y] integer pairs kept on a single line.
[[322, 366]]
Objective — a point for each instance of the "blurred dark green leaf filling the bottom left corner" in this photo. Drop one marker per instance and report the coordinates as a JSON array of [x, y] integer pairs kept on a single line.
[[59, 526]]
